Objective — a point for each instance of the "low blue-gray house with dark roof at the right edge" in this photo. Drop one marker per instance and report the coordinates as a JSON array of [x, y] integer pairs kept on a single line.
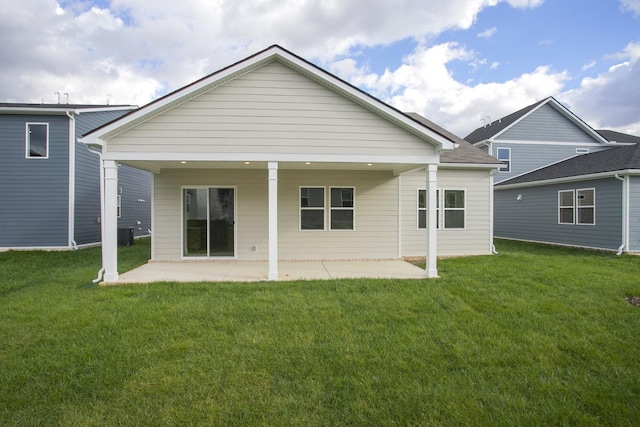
[[590, 201]]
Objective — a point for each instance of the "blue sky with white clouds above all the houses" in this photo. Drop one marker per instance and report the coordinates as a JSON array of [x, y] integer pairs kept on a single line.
[[454, 61]]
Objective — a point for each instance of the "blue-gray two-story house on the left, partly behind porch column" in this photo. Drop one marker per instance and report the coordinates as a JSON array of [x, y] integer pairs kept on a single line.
[[50, 183]]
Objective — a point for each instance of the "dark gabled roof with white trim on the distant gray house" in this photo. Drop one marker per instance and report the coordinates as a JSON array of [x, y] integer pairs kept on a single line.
[[494, 129]]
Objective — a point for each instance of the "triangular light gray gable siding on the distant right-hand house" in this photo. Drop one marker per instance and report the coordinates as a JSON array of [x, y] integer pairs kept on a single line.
[[546, 124]]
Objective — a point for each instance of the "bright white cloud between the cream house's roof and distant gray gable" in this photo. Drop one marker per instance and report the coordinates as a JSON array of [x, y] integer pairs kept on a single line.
[[425, 85]]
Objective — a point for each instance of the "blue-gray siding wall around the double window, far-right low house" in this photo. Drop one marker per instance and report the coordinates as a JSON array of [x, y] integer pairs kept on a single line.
[[535, 217]]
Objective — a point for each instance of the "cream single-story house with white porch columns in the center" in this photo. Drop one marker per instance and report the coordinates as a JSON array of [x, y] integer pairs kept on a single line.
[[273, 158]]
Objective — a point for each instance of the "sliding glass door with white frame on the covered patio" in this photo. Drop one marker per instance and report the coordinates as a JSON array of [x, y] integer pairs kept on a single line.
[[209, 222]]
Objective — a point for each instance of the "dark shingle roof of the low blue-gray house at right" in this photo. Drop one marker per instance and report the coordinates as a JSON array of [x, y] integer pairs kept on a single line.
[[618, 159]]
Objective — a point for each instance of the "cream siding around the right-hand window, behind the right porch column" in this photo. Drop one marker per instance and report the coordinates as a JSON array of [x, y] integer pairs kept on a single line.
[[474, 239]]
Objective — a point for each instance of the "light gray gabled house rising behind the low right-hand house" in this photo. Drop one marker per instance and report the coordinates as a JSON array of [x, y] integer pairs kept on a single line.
[[535, 136]]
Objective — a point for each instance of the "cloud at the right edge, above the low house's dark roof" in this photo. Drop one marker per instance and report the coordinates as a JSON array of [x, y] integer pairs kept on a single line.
[[610, 100]]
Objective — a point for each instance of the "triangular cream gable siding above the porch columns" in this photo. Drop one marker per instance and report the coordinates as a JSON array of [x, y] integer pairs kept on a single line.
[[272, 110]]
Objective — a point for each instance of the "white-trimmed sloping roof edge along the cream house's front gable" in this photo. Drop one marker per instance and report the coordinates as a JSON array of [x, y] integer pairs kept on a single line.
[[273, 53]]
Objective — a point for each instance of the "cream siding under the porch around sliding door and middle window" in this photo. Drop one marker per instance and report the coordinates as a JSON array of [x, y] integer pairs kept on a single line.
[[376, 236]]
